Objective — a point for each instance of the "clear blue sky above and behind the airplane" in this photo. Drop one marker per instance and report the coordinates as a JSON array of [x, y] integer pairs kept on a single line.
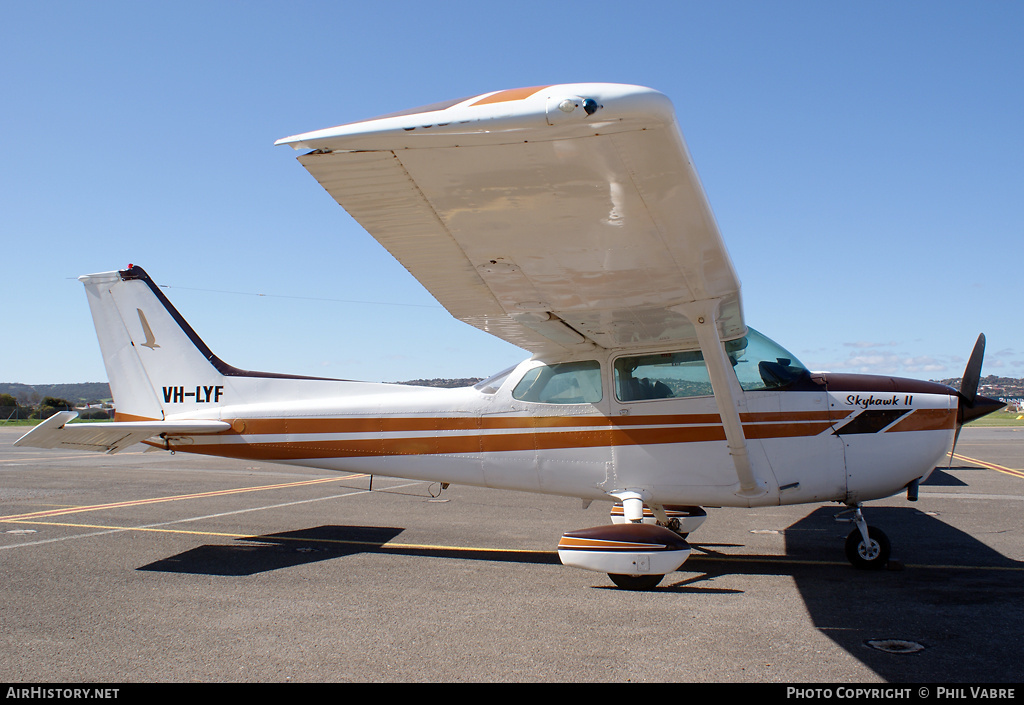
[[865, 161]]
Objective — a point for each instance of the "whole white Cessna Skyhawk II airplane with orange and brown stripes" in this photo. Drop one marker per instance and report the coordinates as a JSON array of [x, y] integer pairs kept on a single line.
[[569, 221]]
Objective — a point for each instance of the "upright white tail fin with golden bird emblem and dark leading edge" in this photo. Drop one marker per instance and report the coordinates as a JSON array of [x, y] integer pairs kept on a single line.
[[156, 363]]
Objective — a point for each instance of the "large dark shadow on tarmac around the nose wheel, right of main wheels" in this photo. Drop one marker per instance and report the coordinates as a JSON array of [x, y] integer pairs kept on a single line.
[[950, 609]]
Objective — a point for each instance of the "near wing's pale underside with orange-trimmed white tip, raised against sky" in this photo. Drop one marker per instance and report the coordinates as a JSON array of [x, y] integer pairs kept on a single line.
[[556, 218]]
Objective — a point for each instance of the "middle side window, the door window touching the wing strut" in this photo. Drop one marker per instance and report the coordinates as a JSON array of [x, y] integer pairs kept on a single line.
[[662, 376]]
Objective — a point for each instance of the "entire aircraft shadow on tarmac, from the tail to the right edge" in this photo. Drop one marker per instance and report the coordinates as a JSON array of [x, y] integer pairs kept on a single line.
[[957, 599]]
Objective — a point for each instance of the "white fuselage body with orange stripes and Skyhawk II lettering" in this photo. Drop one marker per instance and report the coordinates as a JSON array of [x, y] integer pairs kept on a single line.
[[826, 441]]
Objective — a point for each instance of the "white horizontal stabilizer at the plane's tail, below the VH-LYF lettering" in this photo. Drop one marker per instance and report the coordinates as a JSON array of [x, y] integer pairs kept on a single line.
[[109, 438]]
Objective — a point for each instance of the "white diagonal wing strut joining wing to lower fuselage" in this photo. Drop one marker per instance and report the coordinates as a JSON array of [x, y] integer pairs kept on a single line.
[[704, 316]]
